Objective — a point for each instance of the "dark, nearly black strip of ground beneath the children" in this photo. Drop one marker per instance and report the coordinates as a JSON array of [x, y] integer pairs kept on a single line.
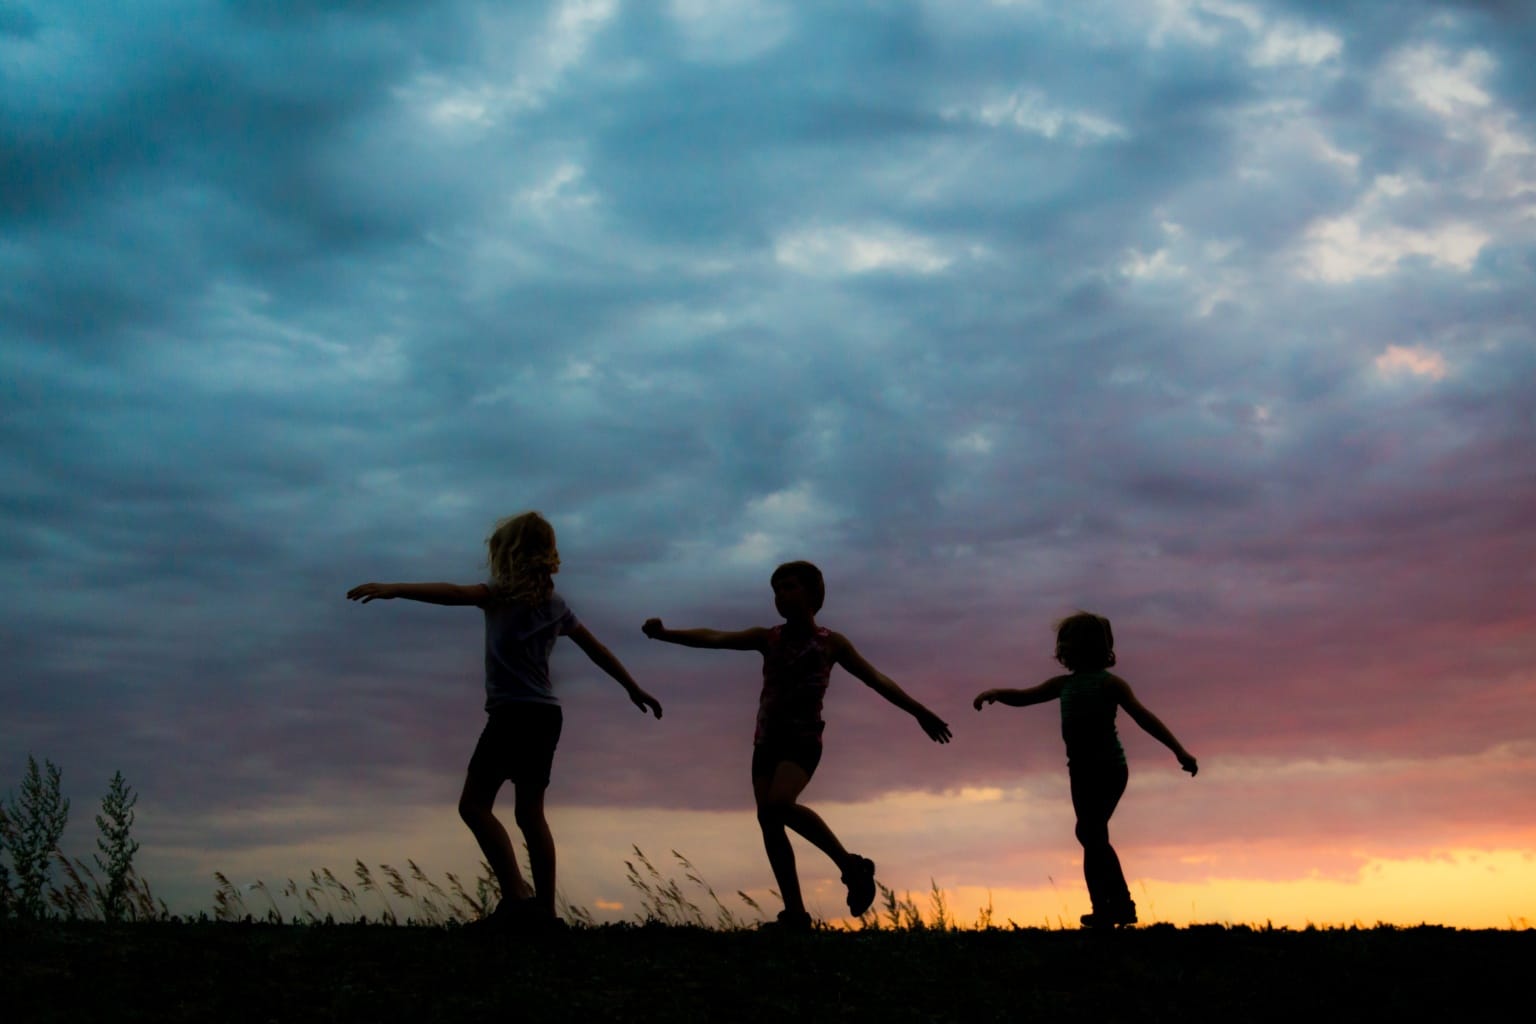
[[213, 973]]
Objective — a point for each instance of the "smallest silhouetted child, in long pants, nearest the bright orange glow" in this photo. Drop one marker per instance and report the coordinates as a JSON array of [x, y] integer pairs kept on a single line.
[[1094, 758]]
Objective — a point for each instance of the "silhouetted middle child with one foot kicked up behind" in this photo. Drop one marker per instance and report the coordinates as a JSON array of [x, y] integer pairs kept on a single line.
[[787, 747]]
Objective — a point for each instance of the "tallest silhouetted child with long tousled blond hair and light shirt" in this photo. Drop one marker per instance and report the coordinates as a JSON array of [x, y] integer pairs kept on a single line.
[[525, 616]]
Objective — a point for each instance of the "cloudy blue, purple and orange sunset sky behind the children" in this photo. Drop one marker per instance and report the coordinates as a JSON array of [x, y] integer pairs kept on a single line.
[[1211, 317]]
